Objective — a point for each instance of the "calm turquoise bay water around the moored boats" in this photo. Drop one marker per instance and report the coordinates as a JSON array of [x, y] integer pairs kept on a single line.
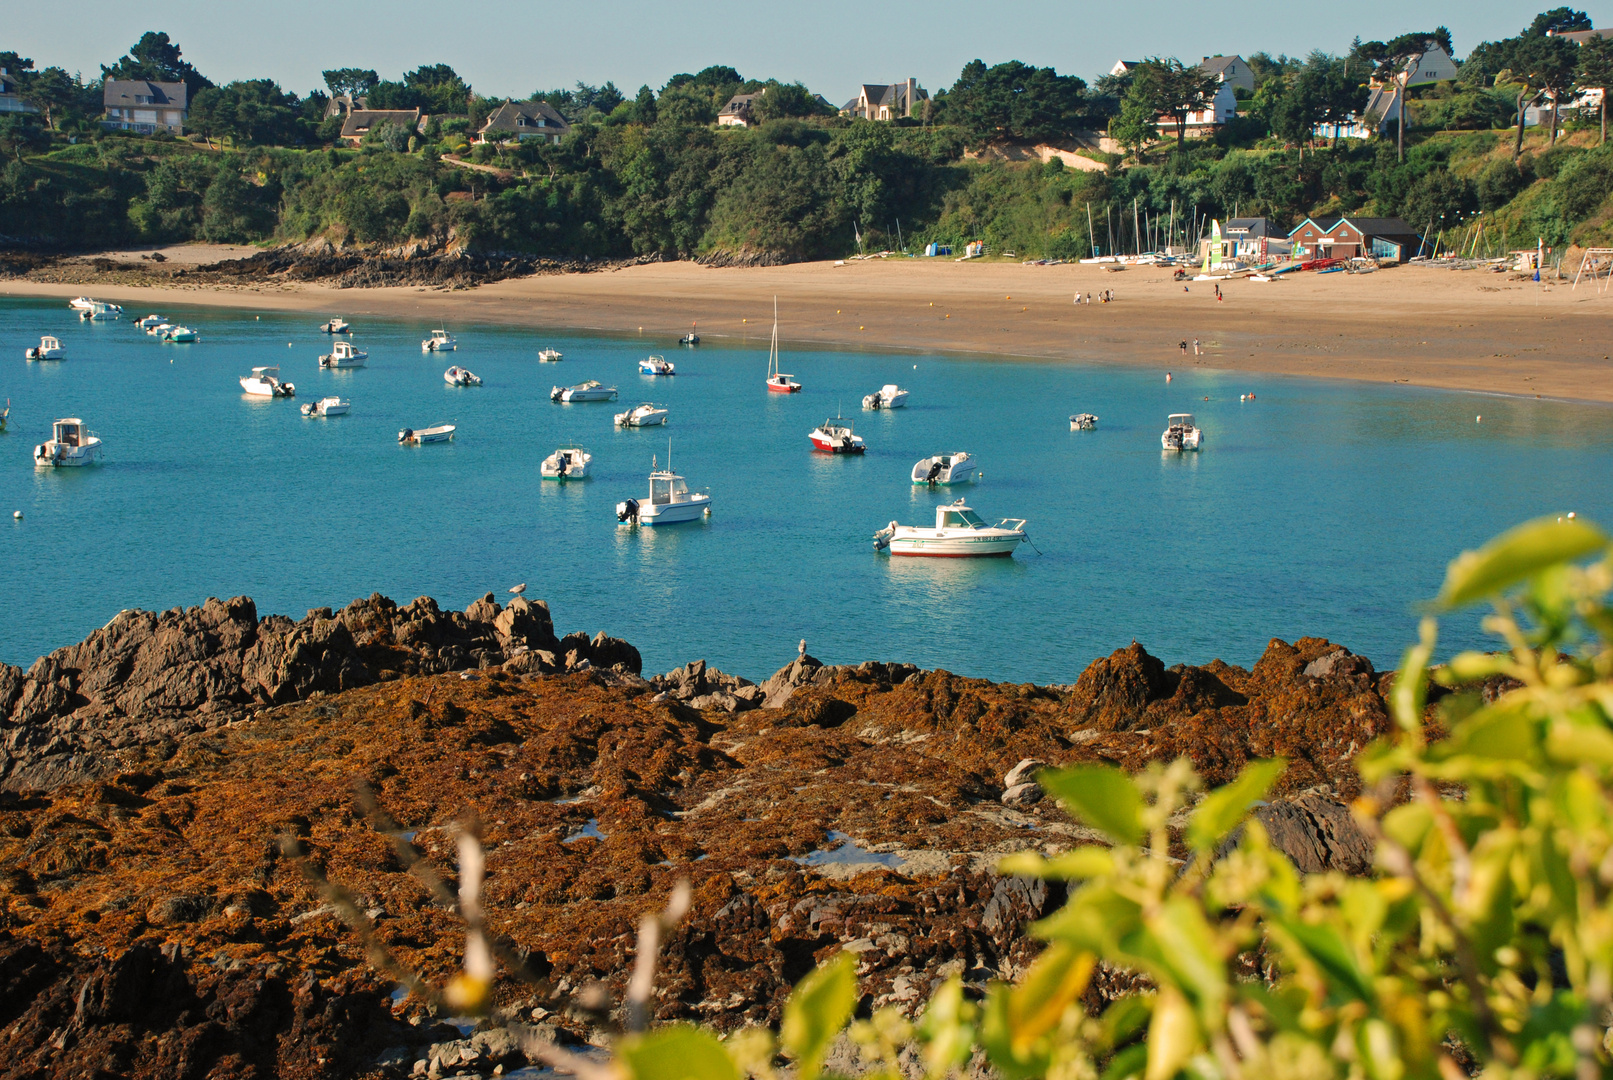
[[1322, 509]]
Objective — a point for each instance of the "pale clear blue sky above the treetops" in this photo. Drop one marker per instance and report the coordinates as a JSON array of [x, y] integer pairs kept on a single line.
[[507, 48]]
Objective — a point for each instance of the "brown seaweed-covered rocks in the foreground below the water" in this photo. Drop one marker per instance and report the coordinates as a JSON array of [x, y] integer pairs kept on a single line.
[[151, 924]]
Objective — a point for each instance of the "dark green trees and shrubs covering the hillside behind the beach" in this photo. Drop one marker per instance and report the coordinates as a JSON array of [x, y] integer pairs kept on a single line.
[[651, 173]]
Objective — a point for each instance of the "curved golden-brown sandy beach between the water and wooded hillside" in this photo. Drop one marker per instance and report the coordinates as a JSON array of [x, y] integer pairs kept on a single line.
[[1419, 326]]
